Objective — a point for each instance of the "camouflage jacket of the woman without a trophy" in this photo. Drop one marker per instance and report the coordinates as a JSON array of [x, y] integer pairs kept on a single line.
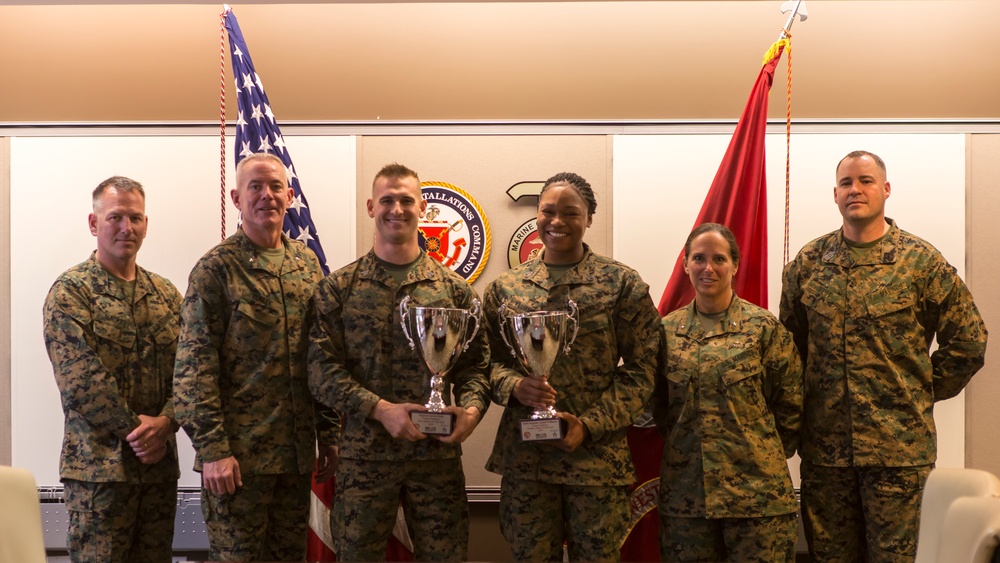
[[729, 407]]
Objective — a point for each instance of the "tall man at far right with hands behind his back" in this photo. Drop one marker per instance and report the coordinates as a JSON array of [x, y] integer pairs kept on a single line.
[[864, 304]]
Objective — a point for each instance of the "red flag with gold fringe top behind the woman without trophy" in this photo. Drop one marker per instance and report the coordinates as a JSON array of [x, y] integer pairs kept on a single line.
[[737, 199]]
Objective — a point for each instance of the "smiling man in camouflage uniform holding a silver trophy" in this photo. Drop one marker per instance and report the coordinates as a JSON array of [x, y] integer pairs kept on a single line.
[[395, 337]]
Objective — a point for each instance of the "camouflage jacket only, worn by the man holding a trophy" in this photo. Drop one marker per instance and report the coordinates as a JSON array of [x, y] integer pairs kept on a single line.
[[358, 354]]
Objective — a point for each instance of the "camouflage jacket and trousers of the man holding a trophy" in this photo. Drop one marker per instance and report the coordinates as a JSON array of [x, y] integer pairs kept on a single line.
[[359, 355]]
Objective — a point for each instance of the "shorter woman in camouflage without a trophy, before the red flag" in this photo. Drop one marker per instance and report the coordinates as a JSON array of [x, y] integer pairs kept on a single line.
[[728, 405]]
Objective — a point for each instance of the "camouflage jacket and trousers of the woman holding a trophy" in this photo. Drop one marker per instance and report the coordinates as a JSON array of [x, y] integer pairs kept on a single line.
[[548, 493]]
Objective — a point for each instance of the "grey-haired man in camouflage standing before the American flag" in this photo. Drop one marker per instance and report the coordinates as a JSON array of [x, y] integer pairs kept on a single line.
[[240, 385]]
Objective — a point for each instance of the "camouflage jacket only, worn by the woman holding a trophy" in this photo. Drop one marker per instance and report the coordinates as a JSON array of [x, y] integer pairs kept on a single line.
[[618, 321]]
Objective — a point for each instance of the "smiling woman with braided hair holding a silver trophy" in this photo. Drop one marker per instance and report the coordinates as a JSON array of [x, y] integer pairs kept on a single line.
[[574, 341]]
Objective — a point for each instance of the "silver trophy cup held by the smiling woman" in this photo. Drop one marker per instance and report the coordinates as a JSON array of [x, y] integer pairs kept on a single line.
[[540, 338]]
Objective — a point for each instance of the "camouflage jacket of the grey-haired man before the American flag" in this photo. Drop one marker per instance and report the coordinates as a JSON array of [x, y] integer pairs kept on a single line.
[[240, 379]]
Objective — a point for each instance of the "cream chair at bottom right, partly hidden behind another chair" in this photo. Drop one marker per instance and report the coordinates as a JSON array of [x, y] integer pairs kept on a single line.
[[943, 487]]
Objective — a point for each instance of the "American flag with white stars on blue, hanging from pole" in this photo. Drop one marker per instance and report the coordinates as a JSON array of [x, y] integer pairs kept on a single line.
[[257, 131]]
